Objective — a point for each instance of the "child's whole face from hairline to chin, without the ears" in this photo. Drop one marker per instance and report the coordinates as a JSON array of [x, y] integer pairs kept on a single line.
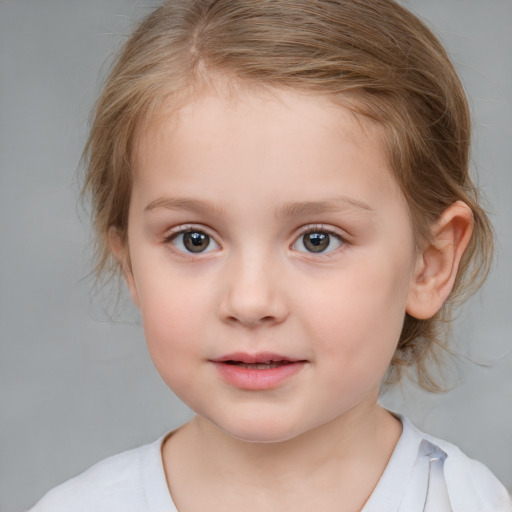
[[271, 257]]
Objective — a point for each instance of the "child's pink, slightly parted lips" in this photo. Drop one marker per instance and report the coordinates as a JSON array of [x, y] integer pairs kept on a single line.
[[257, 371]]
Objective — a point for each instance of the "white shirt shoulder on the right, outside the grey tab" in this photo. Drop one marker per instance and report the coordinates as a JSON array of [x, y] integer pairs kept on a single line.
[[471, 486]]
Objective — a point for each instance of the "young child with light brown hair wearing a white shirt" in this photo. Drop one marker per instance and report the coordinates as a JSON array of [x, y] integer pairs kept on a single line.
[[284, 186]]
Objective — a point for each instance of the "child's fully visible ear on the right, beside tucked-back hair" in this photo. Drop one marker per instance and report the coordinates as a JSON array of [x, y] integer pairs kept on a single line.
[[438, 263]]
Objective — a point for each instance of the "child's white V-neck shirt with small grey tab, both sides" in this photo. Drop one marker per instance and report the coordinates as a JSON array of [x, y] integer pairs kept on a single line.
[[424, 474]]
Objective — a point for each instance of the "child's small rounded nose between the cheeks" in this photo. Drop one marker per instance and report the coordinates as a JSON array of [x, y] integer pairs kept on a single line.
[[253, 295]]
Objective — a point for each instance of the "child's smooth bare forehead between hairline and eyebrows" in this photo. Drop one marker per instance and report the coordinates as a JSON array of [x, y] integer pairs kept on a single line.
[[275, 139]]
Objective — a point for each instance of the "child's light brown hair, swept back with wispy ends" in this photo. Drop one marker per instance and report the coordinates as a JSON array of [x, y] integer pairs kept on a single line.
[[374, 57]]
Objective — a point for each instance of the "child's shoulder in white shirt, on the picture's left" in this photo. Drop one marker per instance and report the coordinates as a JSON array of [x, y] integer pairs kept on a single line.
[[116, 484]]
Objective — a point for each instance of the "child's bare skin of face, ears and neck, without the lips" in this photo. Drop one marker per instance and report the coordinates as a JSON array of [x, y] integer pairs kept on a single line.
[[256, 172]]
